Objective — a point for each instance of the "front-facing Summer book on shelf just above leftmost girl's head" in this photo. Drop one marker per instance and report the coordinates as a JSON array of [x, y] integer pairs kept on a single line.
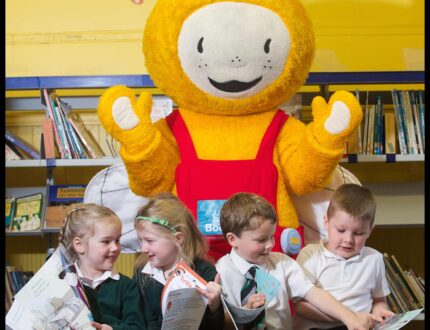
[[61, 200]]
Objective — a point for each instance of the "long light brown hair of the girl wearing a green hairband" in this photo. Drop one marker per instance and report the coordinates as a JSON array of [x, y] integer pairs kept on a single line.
[[166, 206]]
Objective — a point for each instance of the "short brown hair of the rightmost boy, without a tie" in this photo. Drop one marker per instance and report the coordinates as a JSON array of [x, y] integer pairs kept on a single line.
[[355, 200]]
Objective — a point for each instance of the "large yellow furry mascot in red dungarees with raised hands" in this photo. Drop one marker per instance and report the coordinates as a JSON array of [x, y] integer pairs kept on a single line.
[[229, 65]]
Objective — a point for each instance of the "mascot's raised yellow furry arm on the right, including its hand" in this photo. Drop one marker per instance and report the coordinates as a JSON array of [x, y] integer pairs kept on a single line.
[[309, 154]]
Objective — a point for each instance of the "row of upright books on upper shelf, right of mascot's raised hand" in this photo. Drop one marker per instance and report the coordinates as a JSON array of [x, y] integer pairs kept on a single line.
[[397, 128]]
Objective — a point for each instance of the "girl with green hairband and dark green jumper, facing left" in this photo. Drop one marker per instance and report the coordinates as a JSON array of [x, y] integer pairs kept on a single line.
[[168, 234]]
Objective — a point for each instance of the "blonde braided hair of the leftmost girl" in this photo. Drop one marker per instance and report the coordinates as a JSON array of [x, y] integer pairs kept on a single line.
[[80, 222]]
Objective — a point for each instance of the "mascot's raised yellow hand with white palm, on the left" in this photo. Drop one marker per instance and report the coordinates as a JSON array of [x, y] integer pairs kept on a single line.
[[126, 119]]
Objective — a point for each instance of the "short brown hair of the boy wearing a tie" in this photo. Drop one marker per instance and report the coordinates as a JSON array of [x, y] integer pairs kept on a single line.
[[244, 211]]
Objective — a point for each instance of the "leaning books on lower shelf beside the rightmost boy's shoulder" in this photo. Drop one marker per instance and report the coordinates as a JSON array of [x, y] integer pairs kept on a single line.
[[407, 288]]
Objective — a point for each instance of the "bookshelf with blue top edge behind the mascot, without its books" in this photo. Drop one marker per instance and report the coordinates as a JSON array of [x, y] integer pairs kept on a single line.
[[399, 177]]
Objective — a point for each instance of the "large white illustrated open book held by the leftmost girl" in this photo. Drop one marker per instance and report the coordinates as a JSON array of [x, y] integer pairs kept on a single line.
[[52, 299]]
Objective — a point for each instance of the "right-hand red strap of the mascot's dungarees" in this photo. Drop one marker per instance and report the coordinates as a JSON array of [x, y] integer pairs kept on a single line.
[[267, 145]]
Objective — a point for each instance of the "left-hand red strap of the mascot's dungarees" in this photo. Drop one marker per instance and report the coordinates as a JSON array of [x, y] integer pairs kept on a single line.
[[182, 135]]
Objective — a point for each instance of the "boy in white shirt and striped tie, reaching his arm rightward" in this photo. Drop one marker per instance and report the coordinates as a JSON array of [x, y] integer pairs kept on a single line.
[[248, 223]]
